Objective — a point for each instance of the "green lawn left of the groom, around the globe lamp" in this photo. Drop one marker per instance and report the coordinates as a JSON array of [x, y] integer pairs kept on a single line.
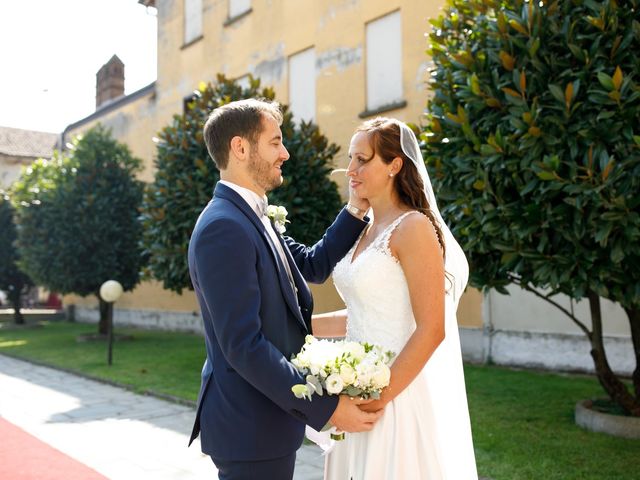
[[162, 362]]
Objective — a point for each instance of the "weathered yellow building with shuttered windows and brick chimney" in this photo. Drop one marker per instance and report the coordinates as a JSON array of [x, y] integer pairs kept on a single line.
[[333, 62]]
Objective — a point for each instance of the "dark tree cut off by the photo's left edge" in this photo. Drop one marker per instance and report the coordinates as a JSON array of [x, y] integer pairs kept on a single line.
[[12, 280]]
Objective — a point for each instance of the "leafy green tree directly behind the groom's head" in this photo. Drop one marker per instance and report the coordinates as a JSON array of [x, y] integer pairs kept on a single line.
[[185, 178]]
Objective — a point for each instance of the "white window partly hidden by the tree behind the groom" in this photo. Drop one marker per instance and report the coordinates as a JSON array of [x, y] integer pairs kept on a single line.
[[302, 85]]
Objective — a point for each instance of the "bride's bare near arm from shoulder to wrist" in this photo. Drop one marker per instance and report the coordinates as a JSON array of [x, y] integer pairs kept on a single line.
[[416, 246]]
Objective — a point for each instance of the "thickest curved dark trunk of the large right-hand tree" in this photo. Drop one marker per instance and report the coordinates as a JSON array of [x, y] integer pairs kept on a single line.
[[609, 381]]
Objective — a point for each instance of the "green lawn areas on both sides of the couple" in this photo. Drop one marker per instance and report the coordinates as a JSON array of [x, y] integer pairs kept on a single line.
[[522, 421]]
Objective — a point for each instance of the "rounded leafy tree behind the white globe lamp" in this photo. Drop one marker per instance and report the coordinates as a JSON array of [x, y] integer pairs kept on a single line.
[[78, 217]]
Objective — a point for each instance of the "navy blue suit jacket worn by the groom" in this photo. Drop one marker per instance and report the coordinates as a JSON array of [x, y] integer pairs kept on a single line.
[[253, 324]]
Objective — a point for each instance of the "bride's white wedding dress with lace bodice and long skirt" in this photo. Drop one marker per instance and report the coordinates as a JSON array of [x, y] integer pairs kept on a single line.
[[424, 433]]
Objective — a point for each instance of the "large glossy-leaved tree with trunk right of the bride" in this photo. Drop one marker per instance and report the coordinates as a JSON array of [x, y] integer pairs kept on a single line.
[[533, 139]]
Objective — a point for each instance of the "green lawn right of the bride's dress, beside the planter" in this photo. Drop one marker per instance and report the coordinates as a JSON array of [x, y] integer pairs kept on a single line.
[[523, 428]]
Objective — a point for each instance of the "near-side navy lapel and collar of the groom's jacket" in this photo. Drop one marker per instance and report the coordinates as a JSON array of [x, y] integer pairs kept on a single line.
[[222, 191]]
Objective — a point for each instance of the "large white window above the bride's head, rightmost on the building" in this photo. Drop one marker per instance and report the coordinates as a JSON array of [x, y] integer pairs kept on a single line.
[[384, 62]]
